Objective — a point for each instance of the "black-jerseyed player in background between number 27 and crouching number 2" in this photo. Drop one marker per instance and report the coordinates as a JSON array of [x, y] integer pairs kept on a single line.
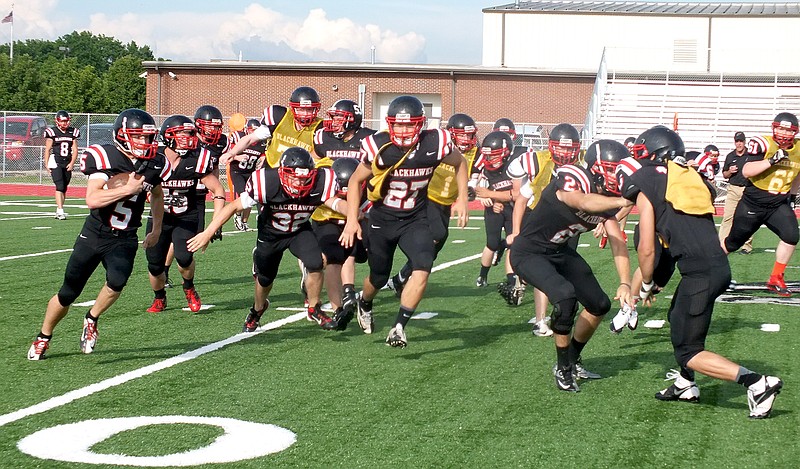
[[496, 151]]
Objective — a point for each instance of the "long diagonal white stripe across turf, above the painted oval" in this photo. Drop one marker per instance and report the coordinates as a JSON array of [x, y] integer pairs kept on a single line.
[[64, 399]]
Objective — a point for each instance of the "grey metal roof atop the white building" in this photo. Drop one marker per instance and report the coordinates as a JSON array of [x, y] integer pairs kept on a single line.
[[790, 9]]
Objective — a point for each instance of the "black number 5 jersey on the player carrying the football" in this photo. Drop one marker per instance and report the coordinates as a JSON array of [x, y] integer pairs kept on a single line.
[[105, 161]]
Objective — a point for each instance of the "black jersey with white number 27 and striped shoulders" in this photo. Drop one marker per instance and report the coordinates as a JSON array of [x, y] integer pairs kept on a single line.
[[405, 190]]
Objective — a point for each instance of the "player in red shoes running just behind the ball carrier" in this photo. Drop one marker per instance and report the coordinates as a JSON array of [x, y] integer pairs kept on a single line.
[[190, 167]]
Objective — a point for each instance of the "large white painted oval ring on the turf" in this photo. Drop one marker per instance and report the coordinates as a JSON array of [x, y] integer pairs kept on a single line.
[[72, 442]]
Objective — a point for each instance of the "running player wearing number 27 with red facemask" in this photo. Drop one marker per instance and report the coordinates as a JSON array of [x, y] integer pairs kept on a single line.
[[399, 163]]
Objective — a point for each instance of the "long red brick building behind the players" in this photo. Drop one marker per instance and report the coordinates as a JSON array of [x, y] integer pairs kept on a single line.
[[485, 93]]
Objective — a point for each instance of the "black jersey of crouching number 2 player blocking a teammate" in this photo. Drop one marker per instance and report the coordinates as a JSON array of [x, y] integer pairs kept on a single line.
[[552, 222]]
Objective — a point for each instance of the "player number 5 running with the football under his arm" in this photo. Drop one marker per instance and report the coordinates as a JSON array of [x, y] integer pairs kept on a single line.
[[109, 235]]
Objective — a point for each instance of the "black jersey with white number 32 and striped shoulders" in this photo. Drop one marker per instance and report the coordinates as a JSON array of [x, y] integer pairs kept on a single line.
[[283, 214]]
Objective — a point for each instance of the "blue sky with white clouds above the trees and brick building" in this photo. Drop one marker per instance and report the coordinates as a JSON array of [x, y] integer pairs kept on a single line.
[[403, 31]]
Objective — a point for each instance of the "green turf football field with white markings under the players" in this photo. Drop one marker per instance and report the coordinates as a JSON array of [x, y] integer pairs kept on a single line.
[[474, 388]]
